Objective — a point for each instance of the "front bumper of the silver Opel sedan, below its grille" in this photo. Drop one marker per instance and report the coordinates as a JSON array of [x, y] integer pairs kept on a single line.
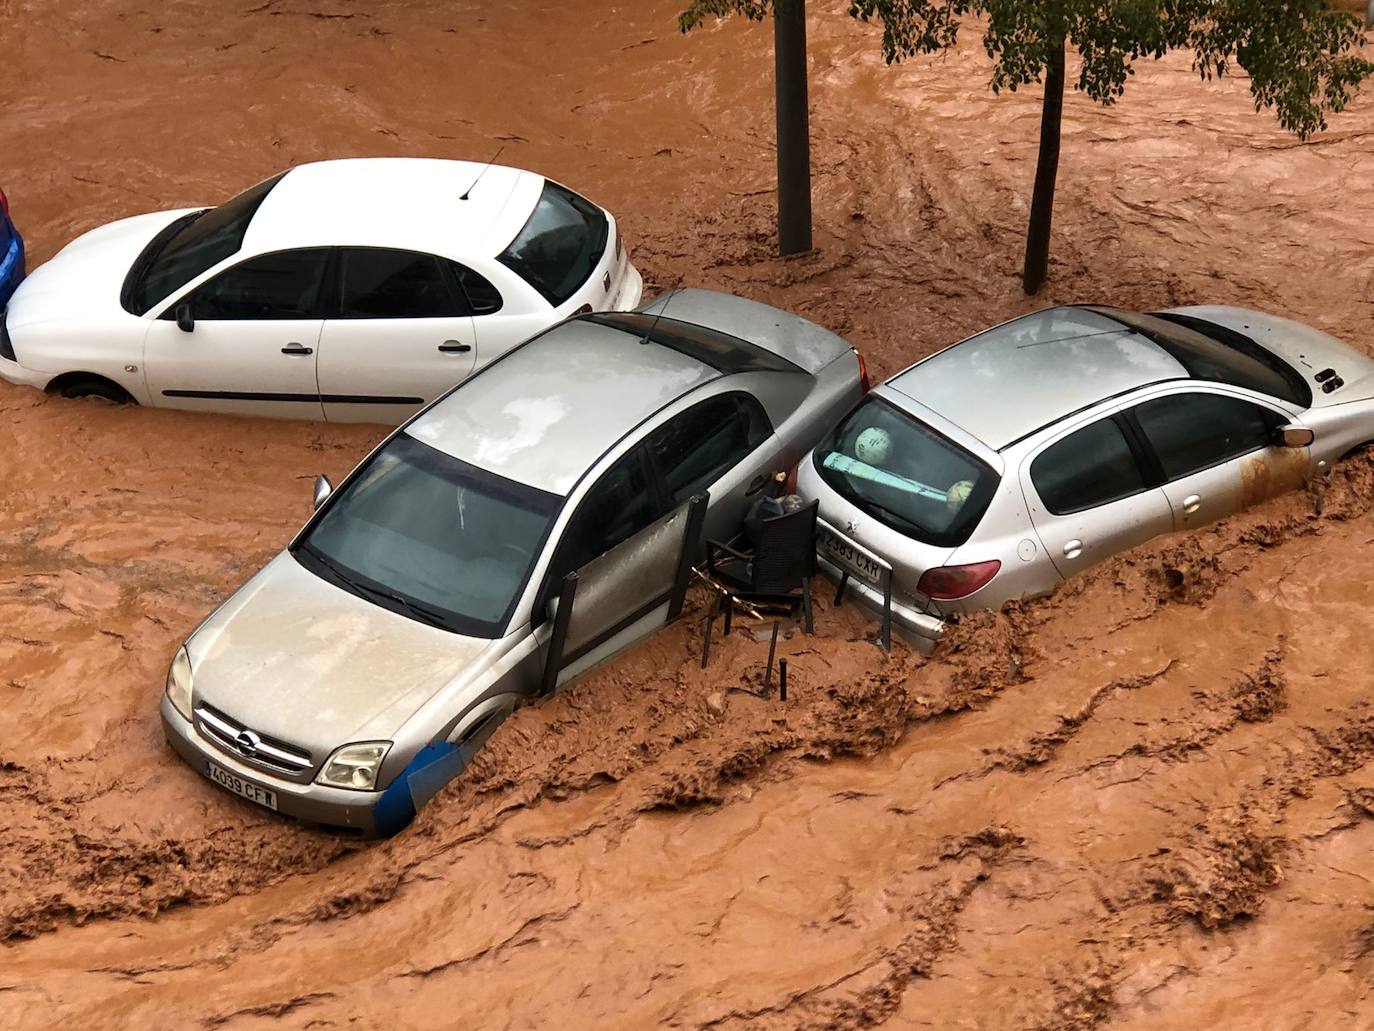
[[310, 802]]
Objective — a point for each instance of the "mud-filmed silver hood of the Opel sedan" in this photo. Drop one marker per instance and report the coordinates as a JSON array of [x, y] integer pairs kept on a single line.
[[297, 659]]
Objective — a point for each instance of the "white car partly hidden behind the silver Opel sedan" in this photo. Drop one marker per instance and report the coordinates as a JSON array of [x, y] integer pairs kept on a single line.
[[347, 291]]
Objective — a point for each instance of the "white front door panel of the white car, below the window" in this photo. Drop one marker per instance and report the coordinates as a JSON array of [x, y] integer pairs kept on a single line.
[[236, 366]]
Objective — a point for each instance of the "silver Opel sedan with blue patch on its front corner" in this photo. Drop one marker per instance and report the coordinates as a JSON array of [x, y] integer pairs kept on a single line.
[[358, 673]]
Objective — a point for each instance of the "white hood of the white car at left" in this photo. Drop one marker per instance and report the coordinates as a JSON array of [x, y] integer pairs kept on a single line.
[[85, 278]]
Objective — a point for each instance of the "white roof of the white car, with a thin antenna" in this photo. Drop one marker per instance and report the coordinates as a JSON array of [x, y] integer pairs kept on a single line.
[[413, 204]]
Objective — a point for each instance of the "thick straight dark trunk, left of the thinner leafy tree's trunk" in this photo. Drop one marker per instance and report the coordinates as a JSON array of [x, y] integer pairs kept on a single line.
[[793, 131]]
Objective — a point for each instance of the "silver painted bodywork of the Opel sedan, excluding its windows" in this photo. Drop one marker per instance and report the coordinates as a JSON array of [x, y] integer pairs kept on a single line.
[[332, 669]]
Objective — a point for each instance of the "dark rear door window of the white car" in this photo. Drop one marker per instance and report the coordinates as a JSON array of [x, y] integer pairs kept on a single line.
[[379, 284]]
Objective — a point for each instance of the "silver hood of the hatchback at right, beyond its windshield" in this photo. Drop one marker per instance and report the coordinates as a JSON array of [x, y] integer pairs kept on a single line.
[[1307, 350]]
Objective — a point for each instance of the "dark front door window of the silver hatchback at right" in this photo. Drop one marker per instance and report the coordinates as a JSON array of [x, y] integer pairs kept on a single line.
[[1192, 432]]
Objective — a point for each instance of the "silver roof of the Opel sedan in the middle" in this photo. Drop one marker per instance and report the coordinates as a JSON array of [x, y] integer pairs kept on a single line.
[[550, 409]]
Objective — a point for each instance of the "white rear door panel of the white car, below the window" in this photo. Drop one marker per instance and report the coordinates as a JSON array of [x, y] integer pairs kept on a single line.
[[372, 359]]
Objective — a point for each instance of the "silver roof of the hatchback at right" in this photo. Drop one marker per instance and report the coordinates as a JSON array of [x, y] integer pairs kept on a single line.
[[1009, 381]]
